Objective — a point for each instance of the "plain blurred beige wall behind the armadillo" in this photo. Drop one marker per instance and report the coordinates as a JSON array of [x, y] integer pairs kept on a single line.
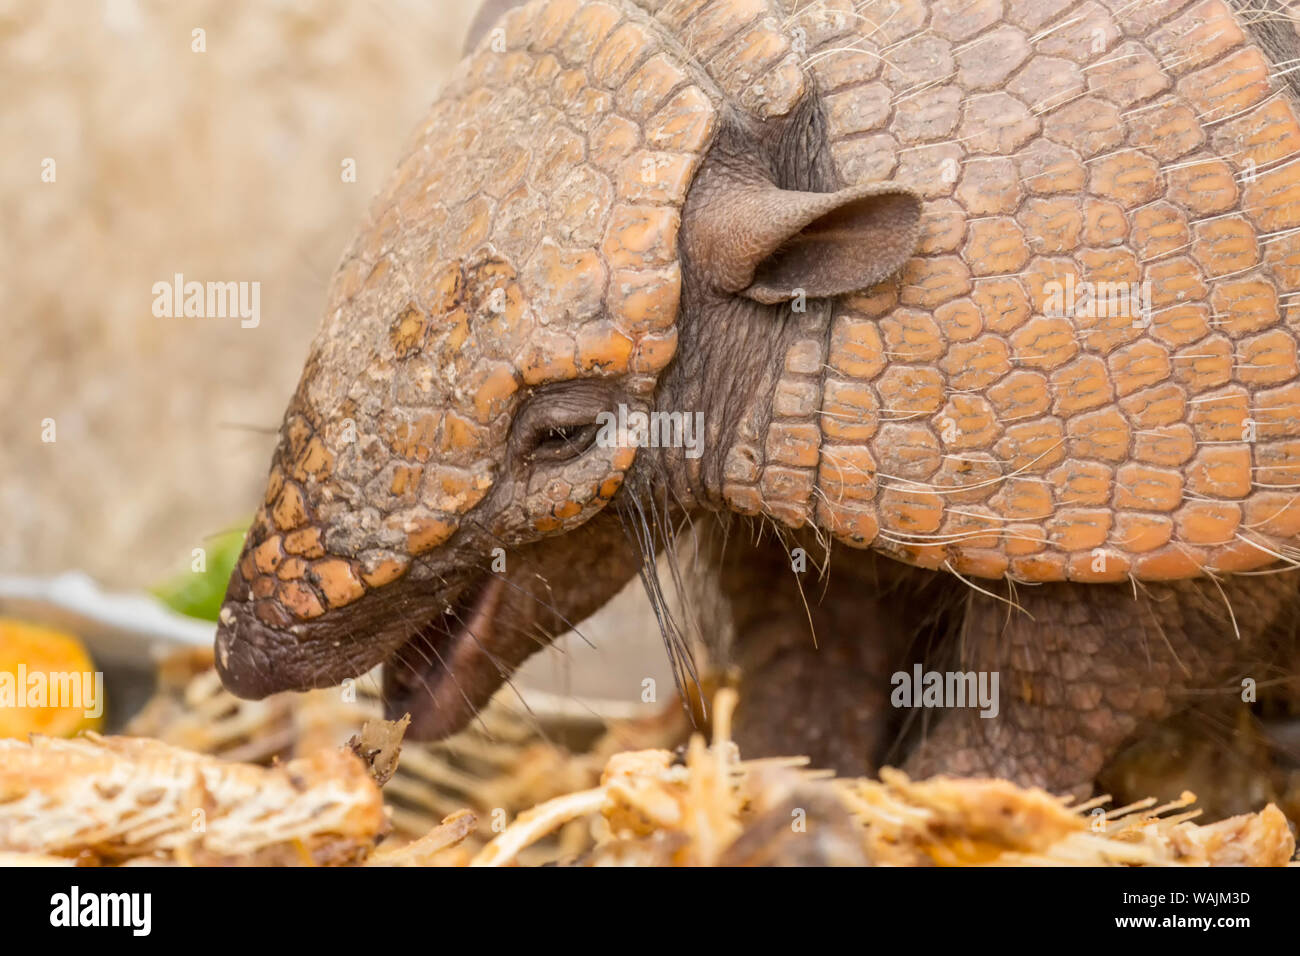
[[223, 166]]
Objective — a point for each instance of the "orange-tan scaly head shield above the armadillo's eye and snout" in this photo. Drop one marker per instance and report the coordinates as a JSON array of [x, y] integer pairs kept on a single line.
[[528, 237]]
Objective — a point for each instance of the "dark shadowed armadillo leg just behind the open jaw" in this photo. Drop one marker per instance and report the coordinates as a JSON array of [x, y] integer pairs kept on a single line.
[[814, 668]]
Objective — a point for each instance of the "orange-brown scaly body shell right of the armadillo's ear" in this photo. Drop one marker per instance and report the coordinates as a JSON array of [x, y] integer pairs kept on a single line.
[[981, 413]]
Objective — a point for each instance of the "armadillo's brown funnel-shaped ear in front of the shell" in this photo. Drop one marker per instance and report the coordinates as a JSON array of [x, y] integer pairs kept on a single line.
[[772, 245]]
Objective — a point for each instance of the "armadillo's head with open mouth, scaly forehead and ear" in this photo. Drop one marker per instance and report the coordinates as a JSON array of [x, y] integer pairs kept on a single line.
[[441, 496]]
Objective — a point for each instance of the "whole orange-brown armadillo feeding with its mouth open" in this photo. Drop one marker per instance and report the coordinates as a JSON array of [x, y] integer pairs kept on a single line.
[[986, 302]]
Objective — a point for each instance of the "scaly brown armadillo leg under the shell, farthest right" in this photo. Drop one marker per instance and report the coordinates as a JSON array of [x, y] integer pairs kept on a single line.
[[1084, 669]]
